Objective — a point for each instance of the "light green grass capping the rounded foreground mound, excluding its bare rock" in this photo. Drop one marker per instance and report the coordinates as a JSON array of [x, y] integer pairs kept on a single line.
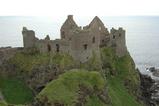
[[65, 88]]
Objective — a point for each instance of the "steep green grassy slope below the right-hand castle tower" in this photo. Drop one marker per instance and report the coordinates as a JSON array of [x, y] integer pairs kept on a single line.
[[124, 72]]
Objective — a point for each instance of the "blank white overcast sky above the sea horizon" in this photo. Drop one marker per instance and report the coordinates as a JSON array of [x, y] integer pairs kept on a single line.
[[58, 8]]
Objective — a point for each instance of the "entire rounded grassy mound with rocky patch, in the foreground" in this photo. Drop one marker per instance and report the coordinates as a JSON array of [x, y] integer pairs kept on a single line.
[[68, 89]]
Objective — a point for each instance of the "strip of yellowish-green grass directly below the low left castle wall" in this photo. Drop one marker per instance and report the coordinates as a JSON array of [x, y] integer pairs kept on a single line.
[[26, 62]]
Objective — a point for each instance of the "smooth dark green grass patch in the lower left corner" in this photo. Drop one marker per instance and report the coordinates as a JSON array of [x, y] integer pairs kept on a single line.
[[15, 91]]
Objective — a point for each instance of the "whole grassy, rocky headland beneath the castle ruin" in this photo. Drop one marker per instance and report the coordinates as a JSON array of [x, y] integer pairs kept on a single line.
[[112, 82]]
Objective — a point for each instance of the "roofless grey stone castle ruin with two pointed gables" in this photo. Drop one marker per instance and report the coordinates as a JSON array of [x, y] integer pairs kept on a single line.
[[80, 43]]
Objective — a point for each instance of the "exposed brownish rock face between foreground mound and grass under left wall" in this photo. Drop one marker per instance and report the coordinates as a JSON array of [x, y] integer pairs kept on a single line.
[[41, 75]]
